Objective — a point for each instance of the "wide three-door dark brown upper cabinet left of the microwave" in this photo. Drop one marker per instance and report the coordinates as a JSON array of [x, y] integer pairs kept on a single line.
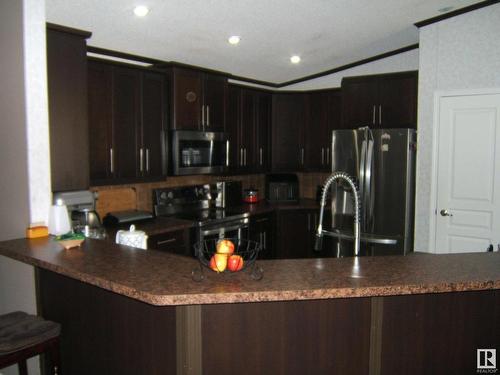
[[127, 121]]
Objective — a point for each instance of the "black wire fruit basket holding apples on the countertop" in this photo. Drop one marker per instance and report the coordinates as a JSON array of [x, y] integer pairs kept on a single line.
[[227, 256]]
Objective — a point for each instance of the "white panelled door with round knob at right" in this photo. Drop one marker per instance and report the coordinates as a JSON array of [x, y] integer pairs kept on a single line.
[[468, 190]]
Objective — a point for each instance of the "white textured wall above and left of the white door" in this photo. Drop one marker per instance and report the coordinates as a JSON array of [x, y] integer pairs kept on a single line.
[[458, 53]]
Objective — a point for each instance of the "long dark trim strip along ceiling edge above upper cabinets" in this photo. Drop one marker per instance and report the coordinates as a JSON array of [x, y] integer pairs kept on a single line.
[[158, 64]]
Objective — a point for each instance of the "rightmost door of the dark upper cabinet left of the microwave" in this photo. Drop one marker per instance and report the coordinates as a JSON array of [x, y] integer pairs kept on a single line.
[[153, 125]]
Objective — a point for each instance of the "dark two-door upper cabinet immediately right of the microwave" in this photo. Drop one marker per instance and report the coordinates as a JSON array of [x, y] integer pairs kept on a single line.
[[248, 126]]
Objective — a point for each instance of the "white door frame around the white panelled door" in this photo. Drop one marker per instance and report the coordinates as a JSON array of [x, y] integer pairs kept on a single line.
[[438, 95]]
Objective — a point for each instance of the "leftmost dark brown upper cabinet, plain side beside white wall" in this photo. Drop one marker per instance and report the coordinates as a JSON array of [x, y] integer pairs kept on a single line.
[[67, 93]]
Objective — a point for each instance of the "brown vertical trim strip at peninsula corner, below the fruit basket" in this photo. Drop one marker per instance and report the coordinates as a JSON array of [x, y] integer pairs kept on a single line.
[[189, 340]]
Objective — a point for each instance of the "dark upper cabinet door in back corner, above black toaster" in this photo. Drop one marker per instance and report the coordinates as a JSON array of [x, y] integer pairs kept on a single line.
[[289, 117]]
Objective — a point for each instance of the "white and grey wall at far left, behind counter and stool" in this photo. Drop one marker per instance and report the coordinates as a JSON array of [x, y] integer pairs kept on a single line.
[[24, 151]]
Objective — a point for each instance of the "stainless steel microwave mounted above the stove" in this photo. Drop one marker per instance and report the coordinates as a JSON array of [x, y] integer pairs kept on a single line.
[[197, 152]]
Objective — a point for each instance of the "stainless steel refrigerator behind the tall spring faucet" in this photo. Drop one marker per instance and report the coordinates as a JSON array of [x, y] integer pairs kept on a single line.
[[383, 163]]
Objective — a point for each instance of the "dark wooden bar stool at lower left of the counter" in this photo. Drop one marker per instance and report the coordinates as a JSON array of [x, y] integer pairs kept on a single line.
[[23, 336]]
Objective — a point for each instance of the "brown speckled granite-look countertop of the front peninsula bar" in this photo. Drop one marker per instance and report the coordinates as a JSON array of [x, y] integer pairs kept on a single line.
[[160, 278]]
